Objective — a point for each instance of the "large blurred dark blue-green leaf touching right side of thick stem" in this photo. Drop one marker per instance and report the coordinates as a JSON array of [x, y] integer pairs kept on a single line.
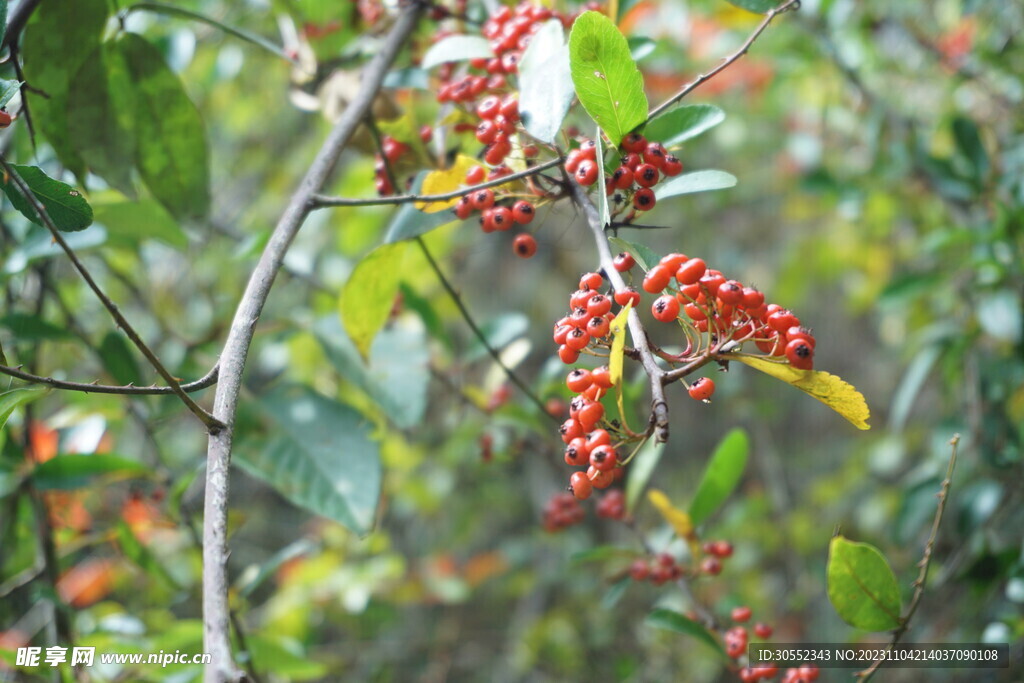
[[322, 457]]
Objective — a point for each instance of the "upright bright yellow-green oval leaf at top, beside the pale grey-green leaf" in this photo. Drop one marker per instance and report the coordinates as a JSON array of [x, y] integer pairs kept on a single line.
[[607, 79]]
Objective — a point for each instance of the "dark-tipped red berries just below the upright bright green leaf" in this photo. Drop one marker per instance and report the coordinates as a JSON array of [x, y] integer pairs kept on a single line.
[[643, 165]]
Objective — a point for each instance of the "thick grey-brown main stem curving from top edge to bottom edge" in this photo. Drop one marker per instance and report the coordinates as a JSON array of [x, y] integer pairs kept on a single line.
[[217, 616]]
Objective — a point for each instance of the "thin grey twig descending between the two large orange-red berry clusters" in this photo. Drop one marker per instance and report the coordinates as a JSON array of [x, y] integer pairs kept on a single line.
[[660, 408]]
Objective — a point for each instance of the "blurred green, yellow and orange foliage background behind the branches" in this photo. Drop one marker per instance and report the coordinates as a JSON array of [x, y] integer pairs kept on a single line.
[[880, 152]]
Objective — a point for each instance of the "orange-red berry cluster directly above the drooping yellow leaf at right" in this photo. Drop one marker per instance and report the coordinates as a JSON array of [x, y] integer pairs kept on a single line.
[[706, 302]]
